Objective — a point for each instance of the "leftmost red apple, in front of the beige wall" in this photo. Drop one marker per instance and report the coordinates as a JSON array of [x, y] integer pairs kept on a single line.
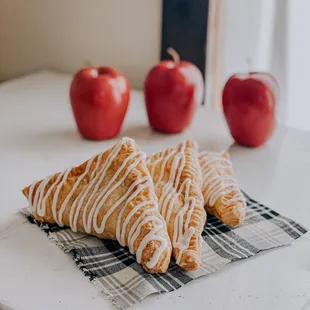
[[99, 99]]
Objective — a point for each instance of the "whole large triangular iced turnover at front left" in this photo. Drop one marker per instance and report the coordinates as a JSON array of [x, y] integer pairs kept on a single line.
[[110, 196]]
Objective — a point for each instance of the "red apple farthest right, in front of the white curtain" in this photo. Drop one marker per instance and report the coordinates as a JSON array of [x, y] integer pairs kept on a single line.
[[249, 102]]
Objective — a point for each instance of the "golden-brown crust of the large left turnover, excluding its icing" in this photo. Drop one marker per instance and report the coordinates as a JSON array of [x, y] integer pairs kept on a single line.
[[93, 193]]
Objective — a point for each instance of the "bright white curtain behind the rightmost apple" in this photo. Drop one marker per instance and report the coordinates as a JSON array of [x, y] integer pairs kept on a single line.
[[274, 34]]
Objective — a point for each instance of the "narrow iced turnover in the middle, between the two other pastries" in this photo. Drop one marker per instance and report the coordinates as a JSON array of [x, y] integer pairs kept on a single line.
[[177, 179]]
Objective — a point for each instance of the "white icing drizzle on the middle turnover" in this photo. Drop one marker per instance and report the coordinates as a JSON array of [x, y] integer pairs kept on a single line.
[[171, 191]]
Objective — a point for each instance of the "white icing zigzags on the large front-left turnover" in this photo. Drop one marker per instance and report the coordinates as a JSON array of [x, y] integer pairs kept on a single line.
[[95, 202]]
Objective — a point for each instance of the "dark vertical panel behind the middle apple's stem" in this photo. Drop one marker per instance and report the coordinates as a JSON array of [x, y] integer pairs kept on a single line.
[[184, 28]]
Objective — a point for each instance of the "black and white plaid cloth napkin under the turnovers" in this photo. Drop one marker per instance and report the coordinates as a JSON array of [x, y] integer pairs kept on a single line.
[[115, 271]]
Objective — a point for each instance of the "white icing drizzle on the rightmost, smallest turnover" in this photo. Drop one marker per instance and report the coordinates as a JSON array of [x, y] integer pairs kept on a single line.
[[218, 185]]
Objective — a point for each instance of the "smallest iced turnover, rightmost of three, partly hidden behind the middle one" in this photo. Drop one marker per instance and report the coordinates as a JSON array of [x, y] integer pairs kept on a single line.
[[222, 196]]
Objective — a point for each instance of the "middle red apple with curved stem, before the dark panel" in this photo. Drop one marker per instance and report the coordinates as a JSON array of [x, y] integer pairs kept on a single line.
[[173, 89]]
